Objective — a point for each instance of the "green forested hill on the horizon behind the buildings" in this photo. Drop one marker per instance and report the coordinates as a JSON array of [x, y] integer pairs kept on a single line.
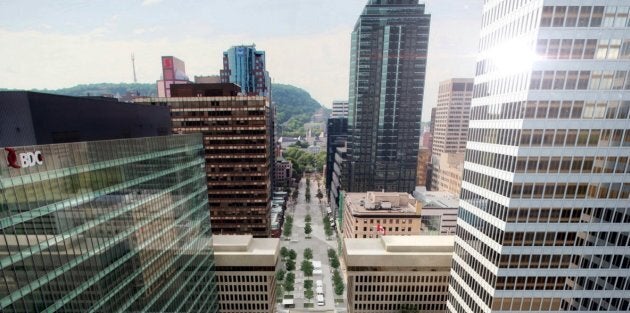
[[295, 106]]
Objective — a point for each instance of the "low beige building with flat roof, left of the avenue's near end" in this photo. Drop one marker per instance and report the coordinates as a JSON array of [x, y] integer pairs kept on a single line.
[[246, 273]]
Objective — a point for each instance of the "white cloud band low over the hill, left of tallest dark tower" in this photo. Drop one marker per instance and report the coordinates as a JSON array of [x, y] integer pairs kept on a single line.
[[317, 63]]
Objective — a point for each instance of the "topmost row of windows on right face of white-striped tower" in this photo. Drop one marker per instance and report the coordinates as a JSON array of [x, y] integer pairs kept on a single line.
[[585, 16]]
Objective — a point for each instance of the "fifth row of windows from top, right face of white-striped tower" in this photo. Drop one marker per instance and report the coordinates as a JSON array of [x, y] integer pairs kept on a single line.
[[574, 138]]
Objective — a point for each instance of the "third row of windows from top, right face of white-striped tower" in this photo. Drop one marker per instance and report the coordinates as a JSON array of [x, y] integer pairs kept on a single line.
[[579, 80]]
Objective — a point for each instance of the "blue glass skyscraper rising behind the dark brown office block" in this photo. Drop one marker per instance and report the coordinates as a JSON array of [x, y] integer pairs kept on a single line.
[[246, 67]]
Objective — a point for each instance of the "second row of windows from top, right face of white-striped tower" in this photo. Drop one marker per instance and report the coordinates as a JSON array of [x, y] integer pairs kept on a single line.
[[602, 49]]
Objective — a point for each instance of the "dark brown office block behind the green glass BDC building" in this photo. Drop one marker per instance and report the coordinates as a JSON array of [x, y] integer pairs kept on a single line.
[[238, 154]]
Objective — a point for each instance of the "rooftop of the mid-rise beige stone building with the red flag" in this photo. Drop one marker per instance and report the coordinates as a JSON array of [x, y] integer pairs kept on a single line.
[[381, 203]]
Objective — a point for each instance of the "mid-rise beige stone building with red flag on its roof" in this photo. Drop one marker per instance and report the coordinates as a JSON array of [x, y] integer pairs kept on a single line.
[[374, 214]]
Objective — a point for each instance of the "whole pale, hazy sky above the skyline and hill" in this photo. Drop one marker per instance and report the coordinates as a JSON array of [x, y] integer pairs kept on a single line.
[[62, 43]]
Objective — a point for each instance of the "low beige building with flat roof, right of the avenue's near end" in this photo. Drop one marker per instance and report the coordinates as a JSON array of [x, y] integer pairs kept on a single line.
[[394, 273]]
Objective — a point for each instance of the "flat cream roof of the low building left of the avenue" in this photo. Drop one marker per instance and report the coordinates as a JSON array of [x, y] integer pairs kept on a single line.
[[245, 250]]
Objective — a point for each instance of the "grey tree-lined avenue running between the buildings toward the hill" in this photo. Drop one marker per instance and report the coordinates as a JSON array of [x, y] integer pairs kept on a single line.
[[317, 242]]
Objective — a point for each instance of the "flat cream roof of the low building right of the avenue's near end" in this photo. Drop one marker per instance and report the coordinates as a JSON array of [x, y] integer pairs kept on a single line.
[[399, 251]]
